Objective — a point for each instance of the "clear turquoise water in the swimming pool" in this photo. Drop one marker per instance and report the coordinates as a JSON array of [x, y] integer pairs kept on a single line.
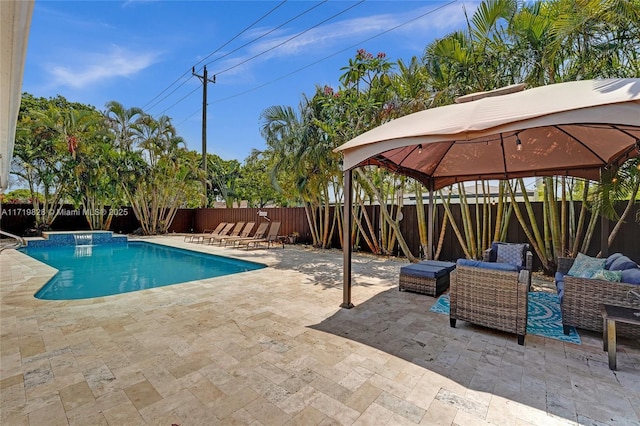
[[103, 270]]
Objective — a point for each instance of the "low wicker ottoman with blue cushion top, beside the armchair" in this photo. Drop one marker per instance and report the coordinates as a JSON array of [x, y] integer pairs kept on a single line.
[[430, 277]]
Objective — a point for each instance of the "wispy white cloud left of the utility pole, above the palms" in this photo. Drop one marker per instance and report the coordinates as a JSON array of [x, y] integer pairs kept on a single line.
[[93, 68]]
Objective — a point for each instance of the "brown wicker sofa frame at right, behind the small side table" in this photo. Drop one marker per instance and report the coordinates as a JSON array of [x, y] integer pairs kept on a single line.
[[584, 297]]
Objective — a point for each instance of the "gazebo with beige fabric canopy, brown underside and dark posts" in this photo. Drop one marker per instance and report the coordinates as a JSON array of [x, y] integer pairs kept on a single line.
[[573, 129]]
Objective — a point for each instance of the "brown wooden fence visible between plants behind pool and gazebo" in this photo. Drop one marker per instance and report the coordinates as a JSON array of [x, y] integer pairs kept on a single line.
[[15, 219]]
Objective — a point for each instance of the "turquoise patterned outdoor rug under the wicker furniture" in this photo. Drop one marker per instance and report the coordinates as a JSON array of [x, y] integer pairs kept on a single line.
[[544, 316]]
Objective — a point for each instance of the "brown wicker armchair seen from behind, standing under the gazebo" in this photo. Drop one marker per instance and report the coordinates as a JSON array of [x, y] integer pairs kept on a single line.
[[491, 298]]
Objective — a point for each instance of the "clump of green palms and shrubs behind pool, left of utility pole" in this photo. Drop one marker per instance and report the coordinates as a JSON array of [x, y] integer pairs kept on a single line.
[[71, 152]]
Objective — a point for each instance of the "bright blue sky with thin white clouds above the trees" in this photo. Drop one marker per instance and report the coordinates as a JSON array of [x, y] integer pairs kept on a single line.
[[140, 53]]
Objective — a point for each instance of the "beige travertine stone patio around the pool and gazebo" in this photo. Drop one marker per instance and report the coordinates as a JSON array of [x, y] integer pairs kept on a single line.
[[273, 347]]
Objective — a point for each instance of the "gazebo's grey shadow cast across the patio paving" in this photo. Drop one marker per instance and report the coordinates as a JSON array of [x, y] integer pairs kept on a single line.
[[571, 382]]
